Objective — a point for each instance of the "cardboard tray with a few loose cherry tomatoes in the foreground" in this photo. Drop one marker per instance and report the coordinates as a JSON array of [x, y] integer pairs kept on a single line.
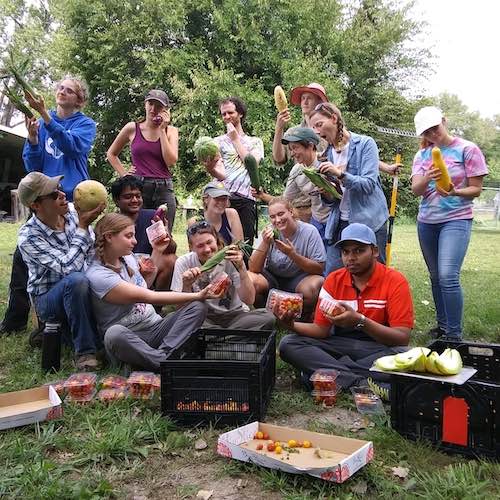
[[349, 455]]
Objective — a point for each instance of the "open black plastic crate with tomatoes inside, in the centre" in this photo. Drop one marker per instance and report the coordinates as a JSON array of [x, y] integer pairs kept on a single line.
[[223, 377]]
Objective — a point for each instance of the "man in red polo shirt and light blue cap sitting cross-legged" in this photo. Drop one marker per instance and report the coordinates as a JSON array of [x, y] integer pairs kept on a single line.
[[374, 316]]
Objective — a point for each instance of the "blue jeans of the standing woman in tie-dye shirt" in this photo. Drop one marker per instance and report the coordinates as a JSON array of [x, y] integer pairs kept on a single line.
[[444, 247]]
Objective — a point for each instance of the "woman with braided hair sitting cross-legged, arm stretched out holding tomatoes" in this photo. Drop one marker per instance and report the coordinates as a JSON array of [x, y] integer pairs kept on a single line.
[[133, 332]]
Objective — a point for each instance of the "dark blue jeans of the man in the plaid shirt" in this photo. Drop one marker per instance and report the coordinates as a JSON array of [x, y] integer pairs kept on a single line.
[[68, 302]]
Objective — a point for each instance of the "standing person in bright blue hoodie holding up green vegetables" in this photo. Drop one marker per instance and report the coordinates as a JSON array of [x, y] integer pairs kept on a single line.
[[58, 144]]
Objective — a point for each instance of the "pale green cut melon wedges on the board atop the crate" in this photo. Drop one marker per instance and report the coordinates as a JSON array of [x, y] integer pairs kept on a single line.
[[421, 359]]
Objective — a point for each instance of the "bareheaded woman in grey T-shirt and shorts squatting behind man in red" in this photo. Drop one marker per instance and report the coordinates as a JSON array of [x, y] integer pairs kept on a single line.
[[293, 261]]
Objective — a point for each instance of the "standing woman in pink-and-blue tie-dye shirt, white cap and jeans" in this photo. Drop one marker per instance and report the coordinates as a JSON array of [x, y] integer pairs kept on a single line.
[[444, 219]]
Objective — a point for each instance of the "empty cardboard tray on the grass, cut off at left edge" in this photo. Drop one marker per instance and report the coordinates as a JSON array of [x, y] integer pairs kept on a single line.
[[29, 406]]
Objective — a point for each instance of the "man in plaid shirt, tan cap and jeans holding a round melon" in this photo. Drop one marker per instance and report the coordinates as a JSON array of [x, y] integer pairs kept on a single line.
[[54, 244]]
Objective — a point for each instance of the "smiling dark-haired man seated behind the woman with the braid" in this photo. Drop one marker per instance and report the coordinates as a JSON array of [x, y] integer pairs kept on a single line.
[[127, 195]]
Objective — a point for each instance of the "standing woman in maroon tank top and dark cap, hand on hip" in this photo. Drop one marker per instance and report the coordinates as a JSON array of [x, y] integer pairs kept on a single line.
[[154, 147]]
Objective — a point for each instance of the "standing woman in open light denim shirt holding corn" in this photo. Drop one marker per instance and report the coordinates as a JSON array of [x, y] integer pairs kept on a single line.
[[353, 160]]
